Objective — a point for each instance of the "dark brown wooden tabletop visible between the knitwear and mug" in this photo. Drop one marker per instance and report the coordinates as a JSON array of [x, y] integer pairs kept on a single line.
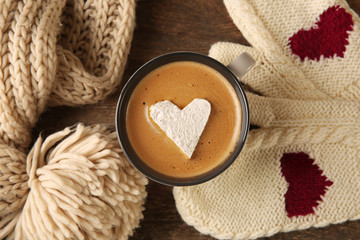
[[164, 26]]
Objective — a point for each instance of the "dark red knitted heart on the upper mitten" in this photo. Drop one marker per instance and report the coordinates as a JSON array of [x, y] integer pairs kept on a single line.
[[328, 38]]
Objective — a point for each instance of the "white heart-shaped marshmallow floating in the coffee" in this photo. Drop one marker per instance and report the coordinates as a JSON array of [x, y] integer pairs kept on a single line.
[[184, 127]]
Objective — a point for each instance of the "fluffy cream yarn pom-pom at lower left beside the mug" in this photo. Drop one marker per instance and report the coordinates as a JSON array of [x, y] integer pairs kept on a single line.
[[81, 187]]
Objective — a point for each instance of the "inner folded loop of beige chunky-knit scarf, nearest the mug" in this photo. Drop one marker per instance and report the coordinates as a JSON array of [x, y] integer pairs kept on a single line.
[[92, 50]]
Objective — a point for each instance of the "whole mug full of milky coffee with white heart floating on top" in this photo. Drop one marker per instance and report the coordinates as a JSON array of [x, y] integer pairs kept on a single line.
[[175, 80]]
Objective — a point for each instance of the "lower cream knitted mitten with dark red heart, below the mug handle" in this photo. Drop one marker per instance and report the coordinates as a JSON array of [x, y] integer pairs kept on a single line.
[[300, 169]]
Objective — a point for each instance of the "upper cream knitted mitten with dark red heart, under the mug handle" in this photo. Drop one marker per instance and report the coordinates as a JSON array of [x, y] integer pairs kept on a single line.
[[304, 49]]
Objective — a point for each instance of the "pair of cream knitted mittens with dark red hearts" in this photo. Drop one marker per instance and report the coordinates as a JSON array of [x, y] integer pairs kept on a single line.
[[300, 168]]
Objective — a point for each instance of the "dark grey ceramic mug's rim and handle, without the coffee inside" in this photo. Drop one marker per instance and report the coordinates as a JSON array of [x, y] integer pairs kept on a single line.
[[232, 73]]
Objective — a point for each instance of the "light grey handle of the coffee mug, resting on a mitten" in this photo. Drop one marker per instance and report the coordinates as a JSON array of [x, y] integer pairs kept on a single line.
[[241, 65]]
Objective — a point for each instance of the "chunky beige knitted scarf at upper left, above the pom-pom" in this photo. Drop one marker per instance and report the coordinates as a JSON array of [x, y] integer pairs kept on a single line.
[[94, 41]]
